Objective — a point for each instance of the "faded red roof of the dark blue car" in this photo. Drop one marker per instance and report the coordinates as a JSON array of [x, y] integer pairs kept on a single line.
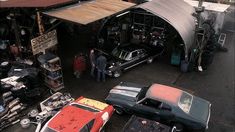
[[164, 93]]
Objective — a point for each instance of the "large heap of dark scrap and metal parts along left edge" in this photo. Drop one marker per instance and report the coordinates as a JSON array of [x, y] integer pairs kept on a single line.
[[19, 87]]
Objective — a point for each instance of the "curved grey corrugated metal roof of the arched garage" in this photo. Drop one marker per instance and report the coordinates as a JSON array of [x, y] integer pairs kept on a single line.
[[178, 14]]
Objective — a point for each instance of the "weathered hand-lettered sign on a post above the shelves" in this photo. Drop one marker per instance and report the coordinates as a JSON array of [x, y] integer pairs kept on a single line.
[[43, 42]]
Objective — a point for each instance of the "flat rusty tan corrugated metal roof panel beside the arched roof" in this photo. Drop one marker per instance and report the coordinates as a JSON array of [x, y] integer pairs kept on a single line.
[[90, 11]]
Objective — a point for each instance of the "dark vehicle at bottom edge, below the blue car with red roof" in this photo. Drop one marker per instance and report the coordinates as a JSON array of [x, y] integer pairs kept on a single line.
[[140, 124]]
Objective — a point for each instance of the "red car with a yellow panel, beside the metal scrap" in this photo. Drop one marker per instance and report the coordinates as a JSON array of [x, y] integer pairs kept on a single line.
[[84, 115]]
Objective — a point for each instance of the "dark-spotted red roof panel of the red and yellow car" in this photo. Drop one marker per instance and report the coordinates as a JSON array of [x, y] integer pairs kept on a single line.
[[71, 119]]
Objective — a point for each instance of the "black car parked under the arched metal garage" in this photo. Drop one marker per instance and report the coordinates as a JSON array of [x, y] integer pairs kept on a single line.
[[125, 57]]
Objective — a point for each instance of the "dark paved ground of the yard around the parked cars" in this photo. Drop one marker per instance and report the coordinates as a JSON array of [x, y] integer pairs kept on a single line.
[[216, 84]]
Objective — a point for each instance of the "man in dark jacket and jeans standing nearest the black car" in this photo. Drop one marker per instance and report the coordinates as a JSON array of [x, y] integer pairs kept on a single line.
[[101, 65]]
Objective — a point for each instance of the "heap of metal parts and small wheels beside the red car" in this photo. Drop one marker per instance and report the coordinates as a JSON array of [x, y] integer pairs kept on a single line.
[[48, 108]]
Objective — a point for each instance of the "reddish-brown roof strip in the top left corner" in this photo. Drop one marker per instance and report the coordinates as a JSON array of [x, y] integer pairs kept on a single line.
[[31, 3]]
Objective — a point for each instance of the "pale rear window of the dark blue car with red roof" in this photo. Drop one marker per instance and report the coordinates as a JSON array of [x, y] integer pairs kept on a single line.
[[185, 102]]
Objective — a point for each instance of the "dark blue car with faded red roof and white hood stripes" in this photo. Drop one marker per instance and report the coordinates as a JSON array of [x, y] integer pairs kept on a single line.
[[161, 103]]
